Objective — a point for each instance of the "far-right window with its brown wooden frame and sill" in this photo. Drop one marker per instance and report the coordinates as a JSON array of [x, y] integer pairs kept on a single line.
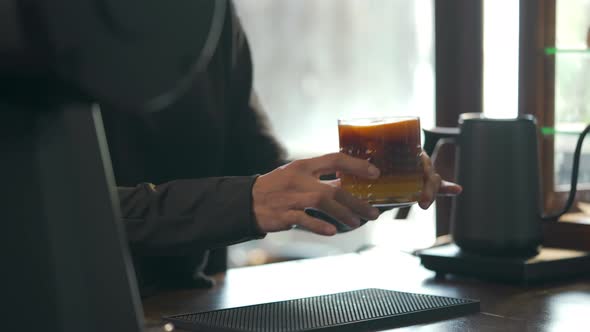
[[554, 84]]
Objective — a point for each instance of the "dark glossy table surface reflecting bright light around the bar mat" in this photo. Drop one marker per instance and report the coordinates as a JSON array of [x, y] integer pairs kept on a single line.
[[555, 306]]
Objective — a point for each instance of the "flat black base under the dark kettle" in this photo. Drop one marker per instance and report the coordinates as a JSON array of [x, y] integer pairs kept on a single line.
[[549, 264]]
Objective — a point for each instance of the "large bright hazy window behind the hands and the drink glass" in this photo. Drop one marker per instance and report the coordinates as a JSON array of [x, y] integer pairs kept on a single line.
[[319, 60]]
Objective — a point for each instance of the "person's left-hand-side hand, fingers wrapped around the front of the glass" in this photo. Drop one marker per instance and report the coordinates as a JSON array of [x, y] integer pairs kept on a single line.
[[280, 197]]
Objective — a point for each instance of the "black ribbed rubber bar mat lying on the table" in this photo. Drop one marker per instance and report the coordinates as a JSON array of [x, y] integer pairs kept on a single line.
[[365, 309]]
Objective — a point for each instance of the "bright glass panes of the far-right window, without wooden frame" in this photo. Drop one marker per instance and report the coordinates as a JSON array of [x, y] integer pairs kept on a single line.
[[572, 88]]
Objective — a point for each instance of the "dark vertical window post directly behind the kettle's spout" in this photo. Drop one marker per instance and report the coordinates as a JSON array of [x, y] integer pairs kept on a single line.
[[459, 79]]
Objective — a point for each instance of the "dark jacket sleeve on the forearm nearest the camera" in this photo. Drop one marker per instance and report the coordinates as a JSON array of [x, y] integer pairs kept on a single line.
[[184, 216]]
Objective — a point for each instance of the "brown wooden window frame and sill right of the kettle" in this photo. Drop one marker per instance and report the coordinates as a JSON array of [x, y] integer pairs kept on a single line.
[[537, 96]]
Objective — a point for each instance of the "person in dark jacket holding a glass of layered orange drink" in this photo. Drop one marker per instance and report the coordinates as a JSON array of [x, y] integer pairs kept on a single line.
[[218, 129]]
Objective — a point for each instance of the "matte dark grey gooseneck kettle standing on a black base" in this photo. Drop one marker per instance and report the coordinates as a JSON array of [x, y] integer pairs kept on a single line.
[[499, 211]]
